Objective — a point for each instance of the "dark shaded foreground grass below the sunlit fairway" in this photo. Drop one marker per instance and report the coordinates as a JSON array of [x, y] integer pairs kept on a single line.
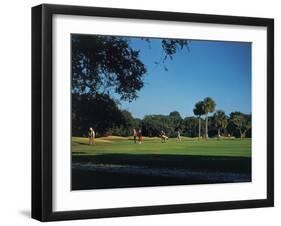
[[140, 170]]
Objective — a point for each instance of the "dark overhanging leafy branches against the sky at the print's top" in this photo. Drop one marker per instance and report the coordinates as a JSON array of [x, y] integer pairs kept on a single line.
[[104, 64]]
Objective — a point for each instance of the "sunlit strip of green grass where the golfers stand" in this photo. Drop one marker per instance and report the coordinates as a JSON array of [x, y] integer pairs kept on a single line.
[[188, 146]]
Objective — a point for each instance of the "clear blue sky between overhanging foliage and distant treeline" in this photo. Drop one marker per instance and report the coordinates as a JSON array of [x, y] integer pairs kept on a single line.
[[220, 70]]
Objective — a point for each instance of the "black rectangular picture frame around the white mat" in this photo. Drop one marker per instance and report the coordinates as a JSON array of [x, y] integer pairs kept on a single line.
[[42, 111]]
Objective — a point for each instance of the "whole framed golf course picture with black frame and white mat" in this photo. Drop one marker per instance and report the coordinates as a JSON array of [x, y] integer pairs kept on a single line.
[[146, 112]]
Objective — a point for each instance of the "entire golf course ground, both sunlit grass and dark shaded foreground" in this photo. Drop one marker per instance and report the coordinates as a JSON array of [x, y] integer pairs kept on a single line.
[[118, 162]]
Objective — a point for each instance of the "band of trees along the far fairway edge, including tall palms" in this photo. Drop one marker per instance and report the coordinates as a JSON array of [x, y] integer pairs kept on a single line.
[[102, 113]]
